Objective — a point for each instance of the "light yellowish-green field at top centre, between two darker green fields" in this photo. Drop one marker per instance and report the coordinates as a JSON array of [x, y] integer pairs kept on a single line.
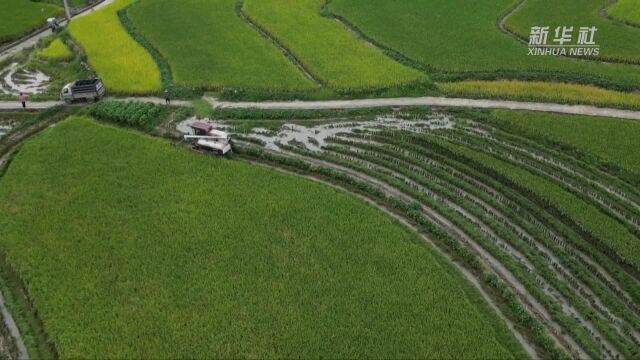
[[326, 48]]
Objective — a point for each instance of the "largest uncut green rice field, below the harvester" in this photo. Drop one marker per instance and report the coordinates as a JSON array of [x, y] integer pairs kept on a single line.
[[160, 253]]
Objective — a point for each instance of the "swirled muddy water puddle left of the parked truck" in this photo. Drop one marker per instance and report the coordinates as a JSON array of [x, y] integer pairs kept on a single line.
[[15, 80]]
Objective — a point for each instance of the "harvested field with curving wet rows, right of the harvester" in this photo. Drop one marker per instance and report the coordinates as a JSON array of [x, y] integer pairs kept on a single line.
[[555, 233]]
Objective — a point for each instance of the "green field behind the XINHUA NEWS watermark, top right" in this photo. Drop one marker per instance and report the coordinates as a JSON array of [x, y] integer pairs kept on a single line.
[[618, 42]]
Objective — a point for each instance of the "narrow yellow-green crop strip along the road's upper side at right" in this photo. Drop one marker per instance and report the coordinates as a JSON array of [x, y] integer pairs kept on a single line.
[[542, 92]]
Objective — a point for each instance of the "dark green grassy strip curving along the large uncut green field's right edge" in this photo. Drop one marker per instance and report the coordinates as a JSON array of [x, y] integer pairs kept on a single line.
[[506, 299]]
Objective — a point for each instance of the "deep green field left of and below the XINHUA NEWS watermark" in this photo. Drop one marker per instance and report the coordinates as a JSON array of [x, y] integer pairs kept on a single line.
[[461, 36]]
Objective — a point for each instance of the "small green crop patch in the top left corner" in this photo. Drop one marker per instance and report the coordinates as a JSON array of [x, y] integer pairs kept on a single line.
[[19, 17]]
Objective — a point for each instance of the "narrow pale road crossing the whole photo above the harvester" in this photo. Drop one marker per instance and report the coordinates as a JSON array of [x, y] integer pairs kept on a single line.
[[373, 103]]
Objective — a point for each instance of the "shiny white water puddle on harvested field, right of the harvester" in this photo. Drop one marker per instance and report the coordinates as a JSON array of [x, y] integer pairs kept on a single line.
[[315, 138]]
